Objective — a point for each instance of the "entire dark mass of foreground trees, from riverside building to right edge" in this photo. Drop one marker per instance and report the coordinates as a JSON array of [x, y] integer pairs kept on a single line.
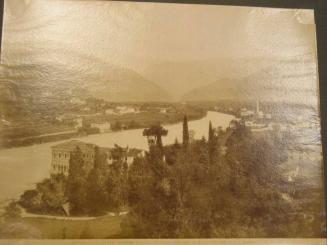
[[230, 185]]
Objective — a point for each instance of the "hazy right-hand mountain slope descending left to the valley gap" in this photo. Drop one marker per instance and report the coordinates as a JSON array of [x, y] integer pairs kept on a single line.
[[267, 85]]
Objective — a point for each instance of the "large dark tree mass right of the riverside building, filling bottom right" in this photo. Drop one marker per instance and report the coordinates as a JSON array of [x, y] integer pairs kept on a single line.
[[202, 191]]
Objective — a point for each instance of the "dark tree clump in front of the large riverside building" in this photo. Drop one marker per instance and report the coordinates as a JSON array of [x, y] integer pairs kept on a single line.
[[83, 192]]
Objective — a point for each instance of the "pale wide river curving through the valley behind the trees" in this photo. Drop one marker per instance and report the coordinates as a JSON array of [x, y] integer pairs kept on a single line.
[[22, 167]]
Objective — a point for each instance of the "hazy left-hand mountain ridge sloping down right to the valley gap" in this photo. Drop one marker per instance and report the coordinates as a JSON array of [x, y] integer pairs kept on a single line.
[[46, 81]]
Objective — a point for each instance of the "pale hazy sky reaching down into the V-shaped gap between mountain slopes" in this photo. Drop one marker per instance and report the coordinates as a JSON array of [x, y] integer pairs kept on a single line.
[[151, 38]]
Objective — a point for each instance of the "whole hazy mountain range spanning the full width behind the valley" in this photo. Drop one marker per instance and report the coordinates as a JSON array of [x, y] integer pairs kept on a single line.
[[60, 74]]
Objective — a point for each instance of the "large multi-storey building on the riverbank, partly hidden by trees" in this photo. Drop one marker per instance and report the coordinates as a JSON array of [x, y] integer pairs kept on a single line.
[[61, 155]]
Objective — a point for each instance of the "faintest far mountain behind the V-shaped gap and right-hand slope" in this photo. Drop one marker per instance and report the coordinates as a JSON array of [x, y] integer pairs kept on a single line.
[[182, 77]]
